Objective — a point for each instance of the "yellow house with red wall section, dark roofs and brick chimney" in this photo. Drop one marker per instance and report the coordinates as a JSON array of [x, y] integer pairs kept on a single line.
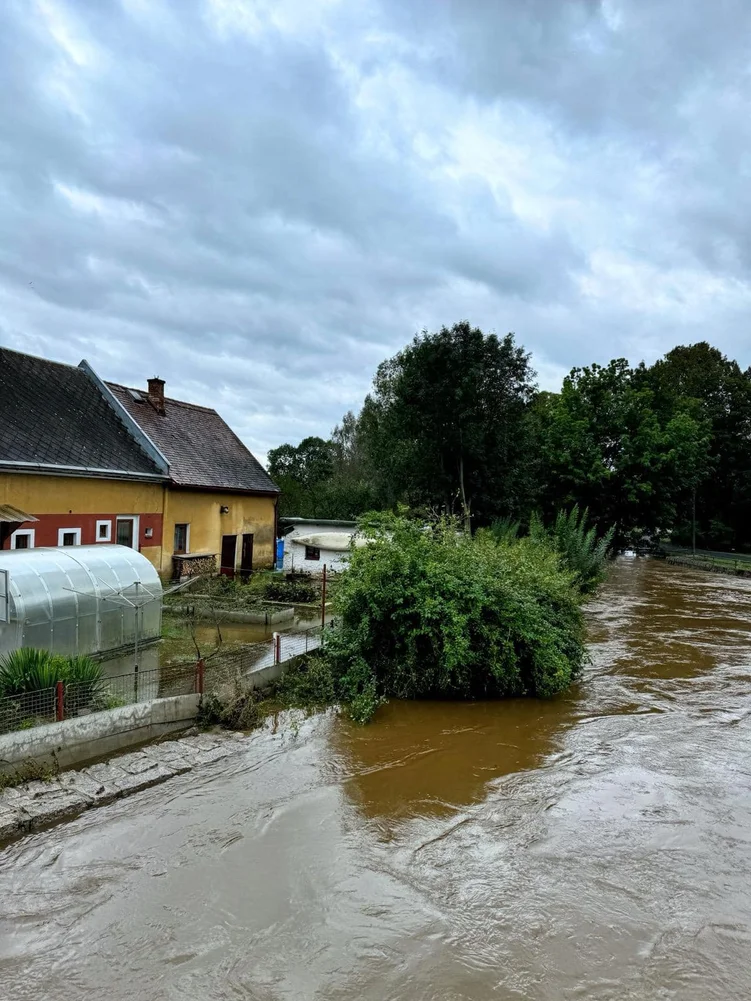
[[98, 463]]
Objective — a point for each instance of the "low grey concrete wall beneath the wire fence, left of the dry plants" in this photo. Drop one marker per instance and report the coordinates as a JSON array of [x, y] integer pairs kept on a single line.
[[86, 738]]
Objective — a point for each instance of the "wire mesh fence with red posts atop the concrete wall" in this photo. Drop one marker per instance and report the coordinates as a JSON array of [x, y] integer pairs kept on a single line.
[[69, 700]]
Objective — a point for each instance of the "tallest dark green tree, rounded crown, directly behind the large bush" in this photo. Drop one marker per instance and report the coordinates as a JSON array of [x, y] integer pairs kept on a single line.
[[446, 425]]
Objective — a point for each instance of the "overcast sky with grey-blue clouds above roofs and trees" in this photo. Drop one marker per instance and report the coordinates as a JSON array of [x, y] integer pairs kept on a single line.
[[260, 201]]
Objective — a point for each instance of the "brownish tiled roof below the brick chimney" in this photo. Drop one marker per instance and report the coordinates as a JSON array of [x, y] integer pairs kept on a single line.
[[202, 450]]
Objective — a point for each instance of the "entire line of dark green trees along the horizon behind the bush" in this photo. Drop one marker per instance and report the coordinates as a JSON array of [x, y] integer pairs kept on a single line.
[[455, 425]]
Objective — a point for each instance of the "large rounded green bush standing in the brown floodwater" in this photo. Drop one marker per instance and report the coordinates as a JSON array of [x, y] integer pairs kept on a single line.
[[432, 614]]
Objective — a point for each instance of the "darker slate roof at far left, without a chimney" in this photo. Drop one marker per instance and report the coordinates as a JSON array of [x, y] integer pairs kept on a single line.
[[55, 415]]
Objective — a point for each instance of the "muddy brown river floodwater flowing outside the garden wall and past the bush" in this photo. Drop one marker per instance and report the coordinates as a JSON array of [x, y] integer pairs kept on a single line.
[[596, 847]]
